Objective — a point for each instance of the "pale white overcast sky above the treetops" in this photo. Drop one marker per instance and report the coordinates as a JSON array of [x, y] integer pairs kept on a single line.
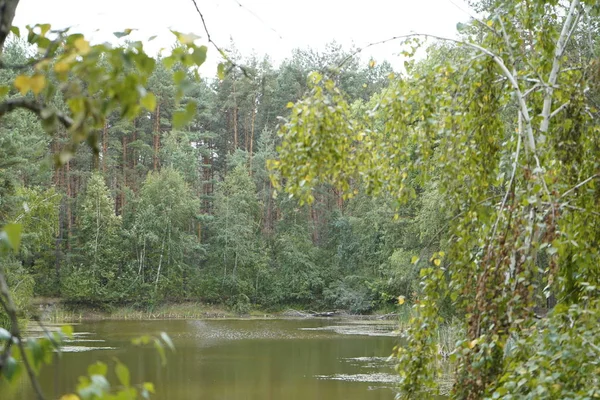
[[272, 27]]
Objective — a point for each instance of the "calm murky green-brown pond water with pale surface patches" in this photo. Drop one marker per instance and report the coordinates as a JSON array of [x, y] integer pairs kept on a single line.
[[237, 359]]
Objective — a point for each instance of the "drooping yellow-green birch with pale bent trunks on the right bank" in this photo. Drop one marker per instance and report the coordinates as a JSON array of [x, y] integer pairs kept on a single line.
[[507, 132]]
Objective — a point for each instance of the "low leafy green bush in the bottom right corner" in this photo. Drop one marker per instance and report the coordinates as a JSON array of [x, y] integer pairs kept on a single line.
[[558, 358]]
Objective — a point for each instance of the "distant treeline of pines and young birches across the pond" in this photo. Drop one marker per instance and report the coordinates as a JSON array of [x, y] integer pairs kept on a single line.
[[159, 214]]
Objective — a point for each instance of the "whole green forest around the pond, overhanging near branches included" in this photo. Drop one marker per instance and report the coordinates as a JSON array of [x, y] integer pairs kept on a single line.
[[461, 190]]
